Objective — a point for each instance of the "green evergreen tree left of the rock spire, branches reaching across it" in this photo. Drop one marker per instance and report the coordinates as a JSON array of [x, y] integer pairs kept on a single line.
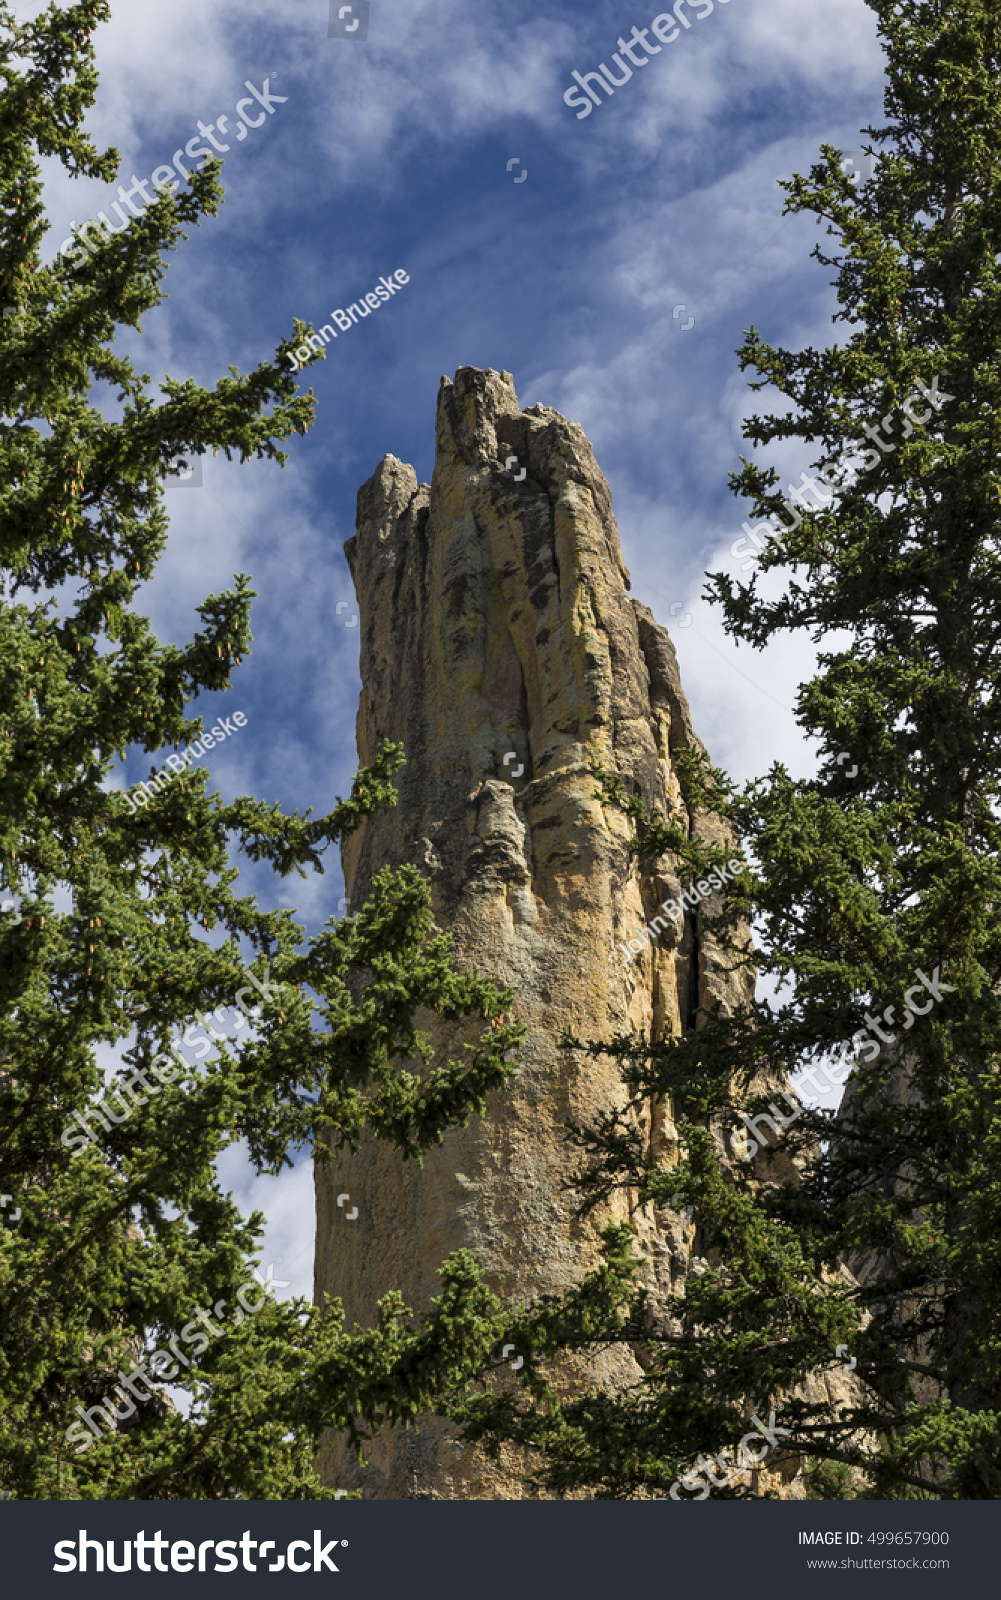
[[122, 924]]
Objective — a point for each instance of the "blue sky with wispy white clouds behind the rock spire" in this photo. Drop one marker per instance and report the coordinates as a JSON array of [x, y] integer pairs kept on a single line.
[[393, 154]]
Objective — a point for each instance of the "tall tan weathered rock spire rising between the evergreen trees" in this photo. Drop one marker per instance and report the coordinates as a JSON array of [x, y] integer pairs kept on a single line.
[[501, 647]]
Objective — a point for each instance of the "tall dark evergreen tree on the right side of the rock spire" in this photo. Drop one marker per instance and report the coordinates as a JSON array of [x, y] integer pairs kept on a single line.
[[875, 894]]
